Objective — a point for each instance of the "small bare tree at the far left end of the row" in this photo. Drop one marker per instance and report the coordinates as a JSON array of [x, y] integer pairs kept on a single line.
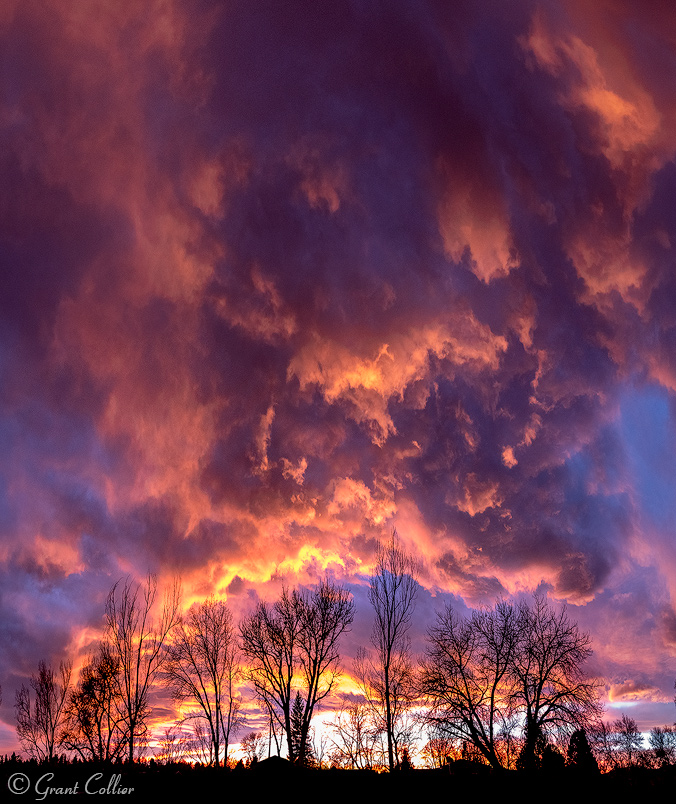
[[40, 724]]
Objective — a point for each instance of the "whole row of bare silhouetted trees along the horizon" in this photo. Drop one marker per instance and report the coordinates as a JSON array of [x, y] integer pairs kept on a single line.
[[504, 687]]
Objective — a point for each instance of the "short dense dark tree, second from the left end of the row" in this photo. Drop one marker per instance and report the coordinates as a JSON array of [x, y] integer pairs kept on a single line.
[[96, 727]]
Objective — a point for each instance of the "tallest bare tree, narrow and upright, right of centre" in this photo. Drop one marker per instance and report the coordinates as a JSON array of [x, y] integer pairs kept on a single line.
[[386, 674]]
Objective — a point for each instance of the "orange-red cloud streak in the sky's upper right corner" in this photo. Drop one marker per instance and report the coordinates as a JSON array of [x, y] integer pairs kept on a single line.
[[631, 132]]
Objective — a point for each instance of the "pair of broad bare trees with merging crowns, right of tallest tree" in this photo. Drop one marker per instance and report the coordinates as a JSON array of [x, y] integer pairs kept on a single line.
[[482, 674]]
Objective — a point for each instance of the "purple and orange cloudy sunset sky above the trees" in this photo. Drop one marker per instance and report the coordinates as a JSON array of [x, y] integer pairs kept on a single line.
[[276, 278]]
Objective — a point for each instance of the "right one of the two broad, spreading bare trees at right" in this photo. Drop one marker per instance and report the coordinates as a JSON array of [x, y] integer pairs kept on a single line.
[[550, 686]]
